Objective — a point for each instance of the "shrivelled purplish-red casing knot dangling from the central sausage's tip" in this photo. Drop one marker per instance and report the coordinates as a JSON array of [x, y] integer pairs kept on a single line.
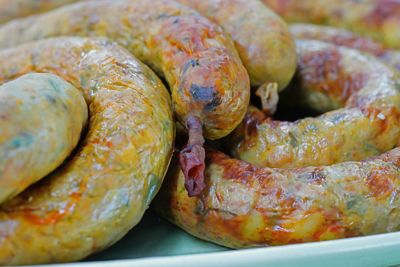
[[192, 156]]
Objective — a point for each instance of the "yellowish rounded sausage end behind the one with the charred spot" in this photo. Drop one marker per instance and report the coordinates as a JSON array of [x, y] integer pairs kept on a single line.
[[261, 37]]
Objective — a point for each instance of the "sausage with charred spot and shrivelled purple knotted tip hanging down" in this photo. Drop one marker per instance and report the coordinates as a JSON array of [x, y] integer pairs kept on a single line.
[[207, 80]]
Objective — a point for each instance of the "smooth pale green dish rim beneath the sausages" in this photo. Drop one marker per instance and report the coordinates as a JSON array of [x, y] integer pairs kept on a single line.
[[374, 250]]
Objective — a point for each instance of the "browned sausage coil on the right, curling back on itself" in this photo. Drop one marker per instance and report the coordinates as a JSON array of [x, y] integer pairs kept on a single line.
[[247, 206]]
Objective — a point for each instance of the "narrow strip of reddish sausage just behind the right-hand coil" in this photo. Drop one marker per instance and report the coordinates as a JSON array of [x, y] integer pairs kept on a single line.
[[346, 38]]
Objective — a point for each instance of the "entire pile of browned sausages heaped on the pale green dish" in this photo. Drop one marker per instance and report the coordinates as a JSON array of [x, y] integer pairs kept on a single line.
[[316, 178]]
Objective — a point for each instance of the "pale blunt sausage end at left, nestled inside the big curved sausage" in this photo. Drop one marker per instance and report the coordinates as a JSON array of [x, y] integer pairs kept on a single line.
[[30, 146]]
